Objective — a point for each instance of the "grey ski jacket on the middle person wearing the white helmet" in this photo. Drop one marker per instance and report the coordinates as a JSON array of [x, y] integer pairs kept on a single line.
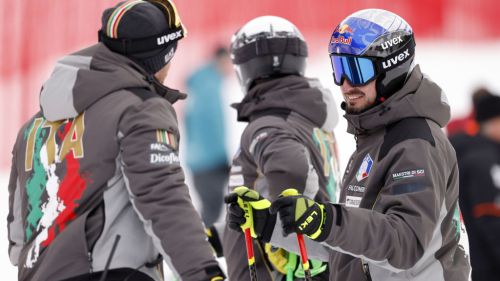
[[288, 143]]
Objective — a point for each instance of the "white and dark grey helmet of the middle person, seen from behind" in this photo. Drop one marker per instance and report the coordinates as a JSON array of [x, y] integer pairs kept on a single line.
[[265, 47]]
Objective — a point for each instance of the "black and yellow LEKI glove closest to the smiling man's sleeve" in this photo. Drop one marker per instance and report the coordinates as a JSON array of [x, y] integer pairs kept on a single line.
[[300, 214]]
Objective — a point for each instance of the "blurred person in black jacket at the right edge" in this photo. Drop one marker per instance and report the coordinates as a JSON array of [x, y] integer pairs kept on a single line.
[[479, 165]]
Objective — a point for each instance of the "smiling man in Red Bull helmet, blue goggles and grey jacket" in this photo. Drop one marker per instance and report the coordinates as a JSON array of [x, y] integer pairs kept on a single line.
[[398, 217]]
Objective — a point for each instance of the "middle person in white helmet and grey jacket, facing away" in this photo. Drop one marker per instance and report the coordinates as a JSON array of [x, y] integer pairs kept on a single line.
[[288, 142]]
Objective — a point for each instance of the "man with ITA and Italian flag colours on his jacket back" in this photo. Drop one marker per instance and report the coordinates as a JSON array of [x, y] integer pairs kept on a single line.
[[96, 187]]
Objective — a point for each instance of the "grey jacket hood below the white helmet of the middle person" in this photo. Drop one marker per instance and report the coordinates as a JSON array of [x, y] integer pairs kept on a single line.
[[291, 93]]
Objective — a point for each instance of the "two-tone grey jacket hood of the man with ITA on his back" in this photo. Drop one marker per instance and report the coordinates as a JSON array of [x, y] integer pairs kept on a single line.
[[82, 78]]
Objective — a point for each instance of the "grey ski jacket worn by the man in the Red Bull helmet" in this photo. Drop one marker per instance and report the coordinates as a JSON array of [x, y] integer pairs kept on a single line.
[[399, 217]]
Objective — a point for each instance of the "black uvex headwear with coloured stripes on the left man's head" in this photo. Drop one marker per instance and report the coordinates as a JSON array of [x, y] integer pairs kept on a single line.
[[138, 19]]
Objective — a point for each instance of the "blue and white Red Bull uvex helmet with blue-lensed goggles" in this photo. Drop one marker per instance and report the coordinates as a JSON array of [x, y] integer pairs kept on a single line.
[[373, 44]]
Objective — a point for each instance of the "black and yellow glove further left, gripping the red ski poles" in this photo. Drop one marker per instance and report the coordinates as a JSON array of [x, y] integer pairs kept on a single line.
[[248, 209]]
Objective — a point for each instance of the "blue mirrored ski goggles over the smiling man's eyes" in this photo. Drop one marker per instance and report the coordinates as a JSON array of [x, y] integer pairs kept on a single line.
[[358, 70]]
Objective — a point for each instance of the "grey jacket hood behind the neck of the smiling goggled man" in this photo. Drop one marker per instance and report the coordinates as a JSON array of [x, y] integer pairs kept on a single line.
[[419, 97]]
